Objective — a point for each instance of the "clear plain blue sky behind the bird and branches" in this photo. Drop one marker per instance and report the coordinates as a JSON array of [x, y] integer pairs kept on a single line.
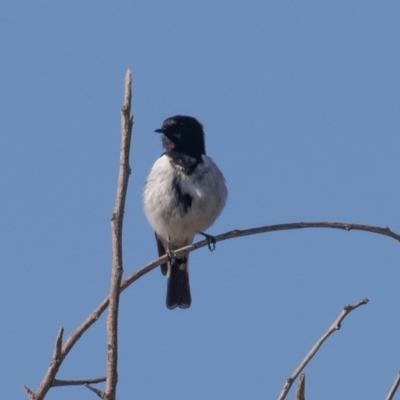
[[300, 103]]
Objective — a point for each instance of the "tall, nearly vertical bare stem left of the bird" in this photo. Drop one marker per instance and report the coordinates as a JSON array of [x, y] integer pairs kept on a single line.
[[116, 233]]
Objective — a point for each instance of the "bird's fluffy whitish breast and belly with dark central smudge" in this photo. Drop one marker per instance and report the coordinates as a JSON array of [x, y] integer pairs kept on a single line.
[[206, 186]]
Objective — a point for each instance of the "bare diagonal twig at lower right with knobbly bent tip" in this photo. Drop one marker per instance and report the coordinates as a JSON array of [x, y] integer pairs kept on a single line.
[[334, 327]]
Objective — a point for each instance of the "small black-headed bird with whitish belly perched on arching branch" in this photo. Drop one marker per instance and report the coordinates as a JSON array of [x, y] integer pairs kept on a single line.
[[184, 194]]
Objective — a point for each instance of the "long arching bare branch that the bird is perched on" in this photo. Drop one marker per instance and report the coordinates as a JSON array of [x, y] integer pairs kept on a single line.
[[95, 315]]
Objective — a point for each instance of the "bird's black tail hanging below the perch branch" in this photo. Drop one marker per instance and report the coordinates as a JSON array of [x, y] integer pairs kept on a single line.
[[178, 291]]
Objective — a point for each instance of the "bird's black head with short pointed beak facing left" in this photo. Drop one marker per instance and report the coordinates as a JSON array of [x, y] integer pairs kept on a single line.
[[183, 134]]
